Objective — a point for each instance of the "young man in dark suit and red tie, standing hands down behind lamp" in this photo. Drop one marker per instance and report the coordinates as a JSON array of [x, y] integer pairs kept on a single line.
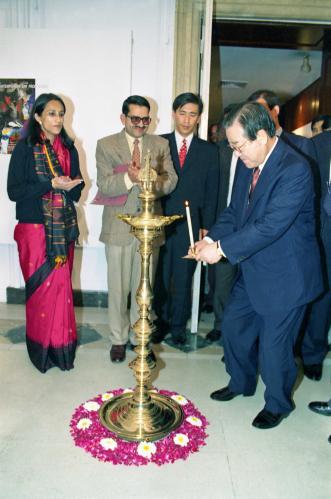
[[196, 165]]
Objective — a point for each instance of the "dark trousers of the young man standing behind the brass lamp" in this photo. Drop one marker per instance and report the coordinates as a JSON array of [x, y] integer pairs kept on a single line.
[[173, 284]]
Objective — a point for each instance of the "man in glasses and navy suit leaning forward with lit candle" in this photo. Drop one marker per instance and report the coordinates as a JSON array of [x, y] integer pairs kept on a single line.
[[269, 230]]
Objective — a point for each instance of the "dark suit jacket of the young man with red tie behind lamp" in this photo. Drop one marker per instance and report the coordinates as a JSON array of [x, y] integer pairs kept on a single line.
[[197, 182]]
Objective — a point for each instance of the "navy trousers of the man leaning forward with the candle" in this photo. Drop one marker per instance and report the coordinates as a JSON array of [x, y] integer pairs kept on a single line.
[[265, 343]]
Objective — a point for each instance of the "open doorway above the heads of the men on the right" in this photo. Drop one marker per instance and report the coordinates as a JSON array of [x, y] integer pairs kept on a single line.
[[290, 59]]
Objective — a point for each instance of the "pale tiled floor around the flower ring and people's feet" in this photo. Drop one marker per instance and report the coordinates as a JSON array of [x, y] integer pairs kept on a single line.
[[39, 460]]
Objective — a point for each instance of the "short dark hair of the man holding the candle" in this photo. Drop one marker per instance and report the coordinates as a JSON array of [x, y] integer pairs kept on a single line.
[[253, 117]]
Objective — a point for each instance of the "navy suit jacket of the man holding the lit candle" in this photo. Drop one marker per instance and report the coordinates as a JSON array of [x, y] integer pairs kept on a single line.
[[273, 237]]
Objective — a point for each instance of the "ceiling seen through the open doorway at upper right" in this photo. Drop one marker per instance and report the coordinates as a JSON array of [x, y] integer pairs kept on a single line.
[[268, 56]]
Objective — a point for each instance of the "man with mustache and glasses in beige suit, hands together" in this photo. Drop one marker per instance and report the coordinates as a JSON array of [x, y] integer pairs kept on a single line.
[[119, 159]]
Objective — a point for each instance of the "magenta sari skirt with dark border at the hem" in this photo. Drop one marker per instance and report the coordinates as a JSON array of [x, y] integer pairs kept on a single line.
[[51, 334]]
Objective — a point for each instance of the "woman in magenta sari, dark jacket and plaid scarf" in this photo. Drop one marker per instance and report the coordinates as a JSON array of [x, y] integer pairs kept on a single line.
[[44, 180]]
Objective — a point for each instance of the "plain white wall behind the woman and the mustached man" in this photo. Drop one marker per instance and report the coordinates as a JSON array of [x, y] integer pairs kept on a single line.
[[94, 54]]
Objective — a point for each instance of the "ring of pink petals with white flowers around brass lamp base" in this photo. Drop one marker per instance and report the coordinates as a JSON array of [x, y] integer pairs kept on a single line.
[[88, 433]]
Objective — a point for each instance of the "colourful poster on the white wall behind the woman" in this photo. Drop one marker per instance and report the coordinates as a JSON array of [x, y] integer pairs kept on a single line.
[[17, 97]]
